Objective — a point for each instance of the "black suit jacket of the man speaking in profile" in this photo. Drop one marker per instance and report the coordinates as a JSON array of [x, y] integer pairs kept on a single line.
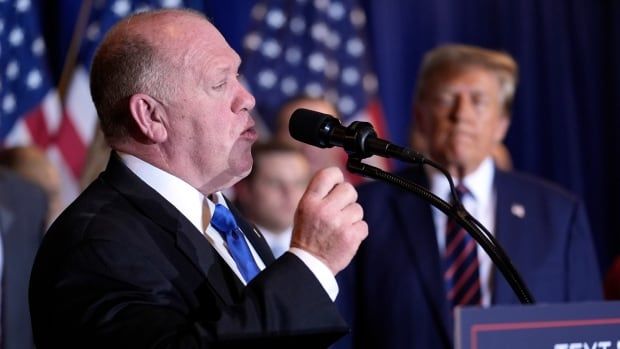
[[123, 268]]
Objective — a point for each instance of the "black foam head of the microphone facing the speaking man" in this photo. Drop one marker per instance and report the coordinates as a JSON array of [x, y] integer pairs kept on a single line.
[[312, 127]]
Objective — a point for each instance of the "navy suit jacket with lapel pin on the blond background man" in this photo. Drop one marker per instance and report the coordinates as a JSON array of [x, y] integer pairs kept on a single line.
[[393, 294]]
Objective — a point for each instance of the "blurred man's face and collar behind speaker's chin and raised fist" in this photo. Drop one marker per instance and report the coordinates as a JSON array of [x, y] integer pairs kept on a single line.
[[269, 195]]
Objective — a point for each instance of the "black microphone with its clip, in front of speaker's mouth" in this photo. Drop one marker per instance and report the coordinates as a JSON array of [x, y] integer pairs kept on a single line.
[[358, 139]]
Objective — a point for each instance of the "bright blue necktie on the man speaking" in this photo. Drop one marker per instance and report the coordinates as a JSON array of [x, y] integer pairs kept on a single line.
[[224, 222]]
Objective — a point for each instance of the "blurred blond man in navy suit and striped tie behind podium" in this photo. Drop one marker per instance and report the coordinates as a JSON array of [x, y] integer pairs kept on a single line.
[[417, 265]]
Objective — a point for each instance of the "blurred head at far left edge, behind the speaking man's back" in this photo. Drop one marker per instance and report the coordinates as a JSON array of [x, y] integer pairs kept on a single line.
[[32, 164]]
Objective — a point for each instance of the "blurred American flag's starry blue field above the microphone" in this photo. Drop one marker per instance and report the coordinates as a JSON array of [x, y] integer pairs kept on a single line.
[[313, 48]]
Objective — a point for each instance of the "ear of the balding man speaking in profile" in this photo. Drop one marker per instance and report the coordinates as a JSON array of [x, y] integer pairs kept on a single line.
[[148, 114]]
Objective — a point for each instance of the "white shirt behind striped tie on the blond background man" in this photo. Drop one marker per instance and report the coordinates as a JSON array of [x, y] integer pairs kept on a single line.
[[481, 204]]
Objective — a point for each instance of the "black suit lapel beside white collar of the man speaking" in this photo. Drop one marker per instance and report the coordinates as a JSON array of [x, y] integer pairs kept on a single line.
[[188, 239]]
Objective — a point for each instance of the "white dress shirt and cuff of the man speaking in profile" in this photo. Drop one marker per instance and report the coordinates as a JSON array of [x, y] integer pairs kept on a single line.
[[189, 202]]
